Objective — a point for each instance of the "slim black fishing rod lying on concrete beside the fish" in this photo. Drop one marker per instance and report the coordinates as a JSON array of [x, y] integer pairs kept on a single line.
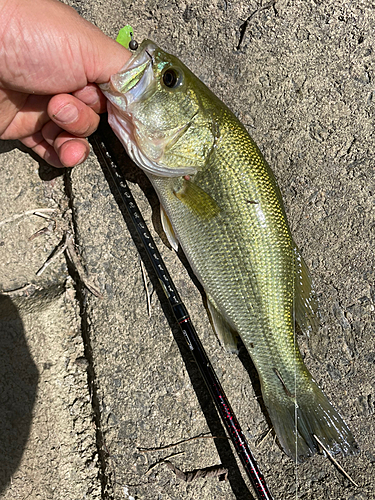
[[182, 316]]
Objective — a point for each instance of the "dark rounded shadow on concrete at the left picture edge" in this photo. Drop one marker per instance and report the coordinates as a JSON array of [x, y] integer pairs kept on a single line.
[[18, 386]]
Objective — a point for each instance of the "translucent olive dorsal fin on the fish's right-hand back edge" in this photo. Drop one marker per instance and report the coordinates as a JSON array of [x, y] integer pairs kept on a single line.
[[305, 301]]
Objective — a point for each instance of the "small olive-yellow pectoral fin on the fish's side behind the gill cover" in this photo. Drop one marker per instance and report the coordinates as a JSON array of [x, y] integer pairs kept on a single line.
[[197, 200]]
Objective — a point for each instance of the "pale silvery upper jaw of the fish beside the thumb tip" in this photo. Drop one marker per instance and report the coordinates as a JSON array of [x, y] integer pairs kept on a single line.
[[136, 76]]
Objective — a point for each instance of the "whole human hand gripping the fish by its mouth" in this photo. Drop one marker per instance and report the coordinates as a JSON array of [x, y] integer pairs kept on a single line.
[[50, 62]]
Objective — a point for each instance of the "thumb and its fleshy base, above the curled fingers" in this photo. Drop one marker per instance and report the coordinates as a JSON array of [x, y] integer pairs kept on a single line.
[[48, 48]]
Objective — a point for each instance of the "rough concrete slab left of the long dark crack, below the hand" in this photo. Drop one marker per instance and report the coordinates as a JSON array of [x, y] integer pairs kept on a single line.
[[47, 433]]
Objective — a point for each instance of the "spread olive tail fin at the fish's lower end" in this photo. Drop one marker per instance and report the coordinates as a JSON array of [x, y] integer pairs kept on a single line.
[[315, 416]]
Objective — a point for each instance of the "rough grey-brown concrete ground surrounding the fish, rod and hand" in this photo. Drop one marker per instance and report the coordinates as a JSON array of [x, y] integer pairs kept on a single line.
[[300, 75]]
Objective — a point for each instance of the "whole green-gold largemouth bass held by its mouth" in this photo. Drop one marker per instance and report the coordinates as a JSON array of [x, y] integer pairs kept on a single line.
[[221, 204]]
